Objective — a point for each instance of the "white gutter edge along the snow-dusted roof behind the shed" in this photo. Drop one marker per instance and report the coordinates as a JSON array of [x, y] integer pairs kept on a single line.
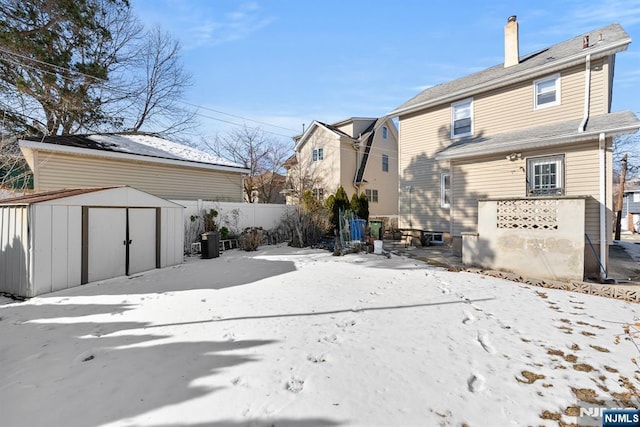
[[54, 148]]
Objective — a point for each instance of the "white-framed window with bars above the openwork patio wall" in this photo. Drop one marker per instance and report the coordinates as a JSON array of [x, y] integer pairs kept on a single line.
[[545, 176]]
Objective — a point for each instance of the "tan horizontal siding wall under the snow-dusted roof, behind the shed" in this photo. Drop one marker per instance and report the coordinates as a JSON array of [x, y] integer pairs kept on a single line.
[[58, 170]]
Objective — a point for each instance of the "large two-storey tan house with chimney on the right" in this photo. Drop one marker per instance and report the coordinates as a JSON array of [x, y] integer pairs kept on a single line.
[[531, 131]]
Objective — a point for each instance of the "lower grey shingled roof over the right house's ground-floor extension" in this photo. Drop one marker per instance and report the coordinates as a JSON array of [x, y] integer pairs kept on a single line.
[[613, 124]]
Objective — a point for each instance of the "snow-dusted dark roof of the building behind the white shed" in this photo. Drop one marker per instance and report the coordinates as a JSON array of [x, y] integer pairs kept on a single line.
[[146, 145]]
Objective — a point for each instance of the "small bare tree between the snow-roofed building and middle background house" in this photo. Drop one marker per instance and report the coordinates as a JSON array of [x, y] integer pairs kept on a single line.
[[263, 156]]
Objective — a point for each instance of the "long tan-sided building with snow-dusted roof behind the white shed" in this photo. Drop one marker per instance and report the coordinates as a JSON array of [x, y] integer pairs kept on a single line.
[[146, 162]]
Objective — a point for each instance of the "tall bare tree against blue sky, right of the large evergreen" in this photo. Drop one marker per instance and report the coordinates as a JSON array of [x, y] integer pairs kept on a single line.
[[161, 83]]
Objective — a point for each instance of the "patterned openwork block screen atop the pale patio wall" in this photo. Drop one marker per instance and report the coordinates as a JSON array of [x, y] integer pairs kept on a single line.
[[535, 214]]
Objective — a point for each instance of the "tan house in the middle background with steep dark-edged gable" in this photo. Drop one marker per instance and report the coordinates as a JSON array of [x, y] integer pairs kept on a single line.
[[361, 154]]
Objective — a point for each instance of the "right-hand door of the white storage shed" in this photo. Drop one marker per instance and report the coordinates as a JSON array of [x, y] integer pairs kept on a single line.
[[142, 239]]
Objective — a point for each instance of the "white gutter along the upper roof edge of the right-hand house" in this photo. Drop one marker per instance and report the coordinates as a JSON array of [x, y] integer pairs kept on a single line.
[[512, 78]]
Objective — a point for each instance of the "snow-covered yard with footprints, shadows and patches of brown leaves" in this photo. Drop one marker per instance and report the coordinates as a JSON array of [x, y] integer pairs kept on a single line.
[[285, 336]]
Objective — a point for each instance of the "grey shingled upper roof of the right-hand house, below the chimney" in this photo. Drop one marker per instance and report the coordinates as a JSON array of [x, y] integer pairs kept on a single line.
[[545, 61]]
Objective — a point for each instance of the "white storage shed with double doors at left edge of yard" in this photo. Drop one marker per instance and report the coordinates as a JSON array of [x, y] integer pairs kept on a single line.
[[61, 239]]
